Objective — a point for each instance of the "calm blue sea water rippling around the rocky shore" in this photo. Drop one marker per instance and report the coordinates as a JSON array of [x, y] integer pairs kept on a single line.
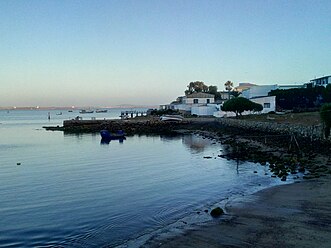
[[70, 190]]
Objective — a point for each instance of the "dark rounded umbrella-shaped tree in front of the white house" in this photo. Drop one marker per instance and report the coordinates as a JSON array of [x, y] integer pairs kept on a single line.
[[239, 105]]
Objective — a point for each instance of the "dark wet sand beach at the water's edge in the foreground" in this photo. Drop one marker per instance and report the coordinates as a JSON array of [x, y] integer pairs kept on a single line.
[[292, 215]]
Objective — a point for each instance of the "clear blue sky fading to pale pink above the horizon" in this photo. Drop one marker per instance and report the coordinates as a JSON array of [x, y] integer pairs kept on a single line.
[[146, 52]]
